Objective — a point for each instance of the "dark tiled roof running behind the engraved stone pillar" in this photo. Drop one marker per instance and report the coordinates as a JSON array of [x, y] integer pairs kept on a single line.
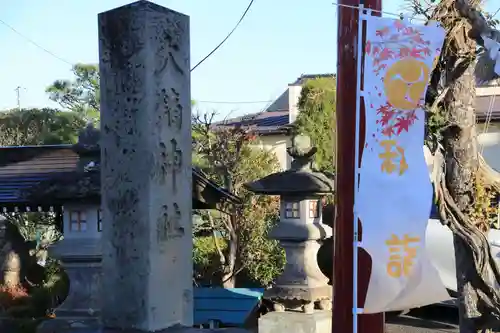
[[52, 173]]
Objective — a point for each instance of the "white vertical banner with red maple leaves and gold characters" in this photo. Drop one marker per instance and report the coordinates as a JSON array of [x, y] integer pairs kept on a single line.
[[395, 193]]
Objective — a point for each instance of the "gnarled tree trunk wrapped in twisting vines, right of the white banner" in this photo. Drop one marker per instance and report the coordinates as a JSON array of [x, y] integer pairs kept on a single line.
[[453, 78]]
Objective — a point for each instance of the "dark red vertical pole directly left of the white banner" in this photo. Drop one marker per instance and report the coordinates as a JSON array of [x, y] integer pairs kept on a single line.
[[344, 193]]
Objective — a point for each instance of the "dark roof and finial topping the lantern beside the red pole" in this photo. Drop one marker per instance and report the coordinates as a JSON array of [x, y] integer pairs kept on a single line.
[[301, 179]]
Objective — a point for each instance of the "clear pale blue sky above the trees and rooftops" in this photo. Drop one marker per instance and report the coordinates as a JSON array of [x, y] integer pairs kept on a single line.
[[277, 42]]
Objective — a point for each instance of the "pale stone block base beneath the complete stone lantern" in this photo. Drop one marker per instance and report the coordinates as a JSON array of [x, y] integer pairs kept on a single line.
[[296, 322]]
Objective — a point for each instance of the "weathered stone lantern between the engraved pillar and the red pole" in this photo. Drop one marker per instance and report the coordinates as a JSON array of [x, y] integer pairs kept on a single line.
[[300, 230]]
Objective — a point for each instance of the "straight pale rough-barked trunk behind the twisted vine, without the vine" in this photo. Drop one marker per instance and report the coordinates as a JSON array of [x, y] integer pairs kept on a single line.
[[460, 146]]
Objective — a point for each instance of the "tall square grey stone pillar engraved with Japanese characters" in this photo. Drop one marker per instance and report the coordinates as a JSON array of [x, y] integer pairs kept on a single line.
[[146, 167]]
